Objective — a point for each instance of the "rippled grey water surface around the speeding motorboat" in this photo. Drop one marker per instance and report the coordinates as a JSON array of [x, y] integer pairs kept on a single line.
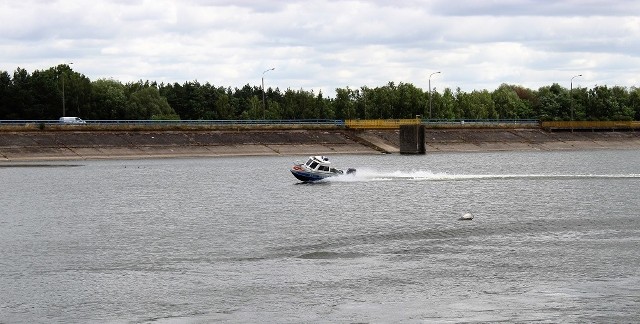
[[555, 238]]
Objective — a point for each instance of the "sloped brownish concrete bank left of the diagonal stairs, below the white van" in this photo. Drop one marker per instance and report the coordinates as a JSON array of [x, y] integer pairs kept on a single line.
[[82, 145]]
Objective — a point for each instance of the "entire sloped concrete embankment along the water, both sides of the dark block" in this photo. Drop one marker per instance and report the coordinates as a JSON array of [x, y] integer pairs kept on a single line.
[[80, 145]]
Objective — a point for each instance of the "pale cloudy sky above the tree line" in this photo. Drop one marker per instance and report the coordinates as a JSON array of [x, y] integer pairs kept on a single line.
[[321, 45]]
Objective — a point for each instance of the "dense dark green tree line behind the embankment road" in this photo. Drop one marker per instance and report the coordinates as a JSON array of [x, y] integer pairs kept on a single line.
[[48, 94]]
